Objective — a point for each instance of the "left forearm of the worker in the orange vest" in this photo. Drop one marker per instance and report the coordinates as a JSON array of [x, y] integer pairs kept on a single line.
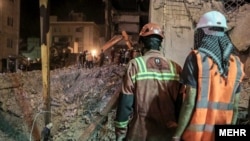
[[186, 112]]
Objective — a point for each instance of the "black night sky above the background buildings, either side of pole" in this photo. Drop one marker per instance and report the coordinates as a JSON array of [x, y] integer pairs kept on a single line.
[[30, 16]]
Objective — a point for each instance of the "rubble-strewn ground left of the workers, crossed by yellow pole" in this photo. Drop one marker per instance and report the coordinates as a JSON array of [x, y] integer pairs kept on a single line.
[[81, 103]]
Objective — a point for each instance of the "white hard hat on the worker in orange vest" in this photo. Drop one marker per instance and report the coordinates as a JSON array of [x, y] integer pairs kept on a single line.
[[212, 19]]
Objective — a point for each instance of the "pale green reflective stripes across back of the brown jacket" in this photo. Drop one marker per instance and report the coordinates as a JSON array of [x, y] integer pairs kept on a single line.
[[145, 74]]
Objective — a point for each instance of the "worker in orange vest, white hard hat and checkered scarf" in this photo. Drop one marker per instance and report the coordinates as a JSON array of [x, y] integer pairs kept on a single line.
[[212, 76]]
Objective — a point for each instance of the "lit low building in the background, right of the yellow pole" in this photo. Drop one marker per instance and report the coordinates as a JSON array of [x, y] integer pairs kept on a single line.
[[76, 35]]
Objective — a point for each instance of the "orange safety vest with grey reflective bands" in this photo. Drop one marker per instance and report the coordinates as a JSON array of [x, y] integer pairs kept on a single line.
[[215, 96]]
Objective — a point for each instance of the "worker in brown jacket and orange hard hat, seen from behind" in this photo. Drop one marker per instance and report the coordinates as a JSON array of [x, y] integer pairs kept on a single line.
[[146, 107]]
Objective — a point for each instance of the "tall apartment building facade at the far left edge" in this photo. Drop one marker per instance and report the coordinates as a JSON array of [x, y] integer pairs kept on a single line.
[[9, 31]]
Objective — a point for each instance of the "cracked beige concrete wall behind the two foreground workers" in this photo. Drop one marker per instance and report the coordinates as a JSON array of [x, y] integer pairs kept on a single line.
[[179, 17]]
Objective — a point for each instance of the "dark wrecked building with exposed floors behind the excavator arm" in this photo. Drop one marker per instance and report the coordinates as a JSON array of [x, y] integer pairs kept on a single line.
[[128, 16]]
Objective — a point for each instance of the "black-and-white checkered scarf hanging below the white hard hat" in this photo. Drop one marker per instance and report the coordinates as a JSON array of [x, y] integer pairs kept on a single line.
[[218, 48]]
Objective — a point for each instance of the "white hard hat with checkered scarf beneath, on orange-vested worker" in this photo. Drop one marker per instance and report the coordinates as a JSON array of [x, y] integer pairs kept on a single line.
[[210, 38]]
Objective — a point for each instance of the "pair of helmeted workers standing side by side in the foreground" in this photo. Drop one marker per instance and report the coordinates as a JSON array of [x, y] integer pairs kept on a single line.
[[161, 101]]
